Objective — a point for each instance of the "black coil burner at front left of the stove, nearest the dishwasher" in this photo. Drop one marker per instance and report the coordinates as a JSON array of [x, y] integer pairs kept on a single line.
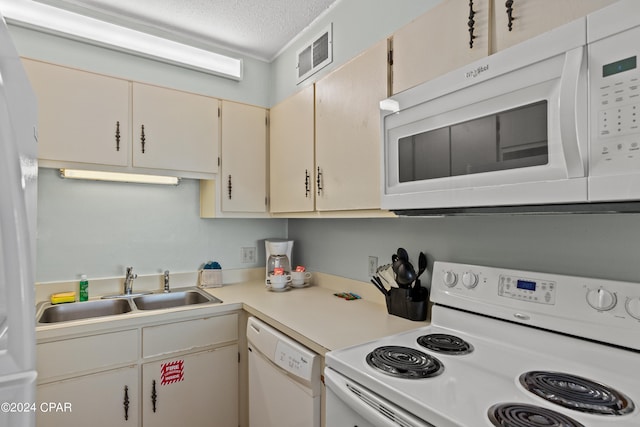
[[404, 362]]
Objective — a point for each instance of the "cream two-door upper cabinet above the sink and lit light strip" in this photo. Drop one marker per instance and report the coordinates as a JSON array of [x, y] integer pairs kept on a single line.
[[92, 121]]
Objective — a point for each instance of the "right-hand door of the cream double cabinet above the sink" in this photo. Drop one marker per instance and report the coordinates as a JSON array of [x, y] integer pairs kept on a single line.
[[174, 130]]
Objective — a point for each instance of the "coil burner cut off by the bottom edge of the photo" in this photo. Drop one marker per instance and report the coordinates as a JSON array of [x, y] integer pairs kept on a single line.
[[524, 415]]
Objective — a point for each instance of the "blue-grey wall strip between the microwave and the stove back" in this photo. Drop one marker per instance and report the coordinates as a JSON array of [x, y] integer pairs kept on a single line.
[[593, 245]]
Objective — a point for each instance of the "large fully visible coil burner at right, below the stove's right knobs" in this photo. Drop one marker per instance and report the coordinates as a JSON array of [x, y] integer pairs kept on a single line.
[[577, 393]]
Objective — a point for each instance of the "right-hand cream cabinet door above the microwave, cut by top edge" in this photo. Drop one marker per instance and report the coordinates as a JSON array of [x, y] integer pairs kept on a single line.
[[533, 17]]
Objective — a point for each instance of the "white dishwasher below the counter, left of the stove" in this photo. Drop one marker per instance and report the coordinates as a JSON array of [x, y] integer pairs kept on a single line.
[[284, 379]]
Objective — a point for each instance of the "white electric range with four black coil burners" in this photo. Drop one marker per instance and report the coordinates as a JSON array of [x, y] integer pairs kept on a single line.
[[518, 349]]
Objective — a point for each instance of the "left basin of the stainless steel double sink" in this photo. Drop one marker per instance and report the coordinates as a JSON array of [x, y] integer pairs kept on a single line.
[[85, 310]]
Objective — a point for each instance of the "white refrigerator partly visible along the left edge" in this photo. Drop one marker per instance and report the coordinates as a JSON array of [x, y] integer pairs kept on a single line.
[[18, 183]]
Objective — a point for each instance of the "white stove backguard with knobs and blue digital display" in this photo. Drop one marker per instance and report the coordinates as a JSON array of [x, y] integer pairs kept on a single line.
[[599, 309]]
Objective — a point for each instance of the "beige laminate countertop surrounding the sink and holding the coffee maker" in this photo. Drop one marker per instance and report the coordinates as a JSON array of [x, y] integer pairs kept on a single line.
[[312, 316]]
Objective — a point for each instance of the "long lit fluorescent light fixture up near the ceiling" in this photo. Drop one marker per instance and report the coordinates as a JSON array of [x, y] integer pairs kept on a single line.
[[50, 19]]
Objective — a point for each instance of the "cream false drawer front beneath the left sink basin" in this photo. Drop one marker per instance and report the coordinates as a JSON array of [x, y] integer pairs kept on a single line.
[[59, 358]]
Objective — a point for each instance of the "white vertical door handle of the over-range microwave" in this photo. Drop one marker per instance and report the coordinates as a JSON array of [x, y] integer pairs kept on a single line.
[[573, 111]]
